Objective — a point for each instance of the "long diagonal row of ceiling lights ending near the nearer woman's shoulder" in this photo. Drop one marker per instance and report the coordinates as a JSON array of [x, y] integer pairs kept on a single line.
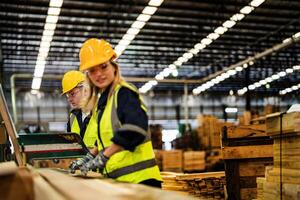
[[172, 68]]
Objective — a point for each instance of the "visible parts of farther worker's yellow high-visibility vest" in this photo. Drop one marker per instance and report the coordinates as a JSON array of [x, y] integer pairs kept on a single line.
[[89, 138]]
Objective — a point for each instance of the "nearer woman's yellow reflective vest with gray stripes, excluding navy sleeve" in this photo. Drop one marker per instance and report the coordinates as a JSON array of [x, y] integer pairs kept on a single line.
[[125, 165]]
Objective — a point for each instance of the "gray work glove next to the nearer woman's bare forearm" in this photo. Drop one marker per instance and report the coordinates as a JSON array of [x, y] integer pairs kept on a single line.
[[98, 162]]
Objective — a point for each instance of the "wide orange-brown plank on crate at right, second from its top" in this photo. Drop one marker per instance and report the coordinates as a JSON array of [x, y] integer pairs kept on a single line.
[[241, 152]]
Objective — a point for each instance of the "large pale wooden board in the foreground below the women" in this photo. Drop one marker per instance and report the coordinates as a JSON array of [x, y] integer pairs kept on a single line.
[[78, 188]]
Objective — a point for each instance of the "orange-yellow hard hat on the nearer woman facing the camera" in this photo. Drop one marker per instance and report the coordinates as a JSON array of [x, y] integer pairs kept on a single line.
[[95, 52]]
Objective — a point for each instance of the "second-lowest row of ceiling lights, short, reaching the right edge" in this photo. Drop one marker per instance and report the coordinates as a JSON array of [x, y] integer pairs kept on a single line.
[[269, 79]]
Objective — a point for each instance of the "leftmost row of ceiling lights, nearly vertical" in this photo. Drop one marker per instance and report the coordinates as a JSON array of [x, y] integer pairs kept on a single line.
[[49, 29]]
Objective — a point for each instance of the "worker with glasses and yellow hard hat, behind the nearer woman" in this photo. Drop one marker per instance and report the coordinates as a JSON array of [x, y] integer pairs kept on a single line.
[[76, 88]]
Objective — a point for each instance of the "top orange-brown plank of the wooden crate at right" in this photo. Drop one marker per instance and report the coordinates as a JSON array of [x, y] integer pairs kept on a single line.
[[255, 130]]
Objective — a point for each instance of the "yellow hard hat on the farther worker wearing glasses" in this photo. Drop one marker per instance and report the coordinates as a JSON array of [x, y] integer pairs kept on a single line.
[[71, 79]]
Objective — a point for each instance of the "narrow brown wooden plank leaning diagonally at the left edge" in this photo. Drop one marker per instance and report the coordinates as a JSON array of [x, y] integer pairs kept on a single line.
[[10, 128]]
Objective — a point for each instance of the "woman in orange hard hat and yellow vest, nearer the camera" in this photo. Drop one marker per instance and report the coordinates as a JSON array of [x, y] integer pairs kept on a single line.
[[125, 150]]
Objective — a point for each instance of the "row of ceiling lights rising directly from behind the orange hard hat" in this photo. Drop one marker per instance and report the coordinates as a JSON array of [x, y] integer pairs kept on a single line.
[[137, 25]]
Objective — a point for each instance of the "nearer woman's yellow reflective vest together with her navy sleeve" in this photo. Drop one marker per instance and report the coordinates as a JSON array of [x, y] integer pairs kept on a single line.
[[136, 163]]
